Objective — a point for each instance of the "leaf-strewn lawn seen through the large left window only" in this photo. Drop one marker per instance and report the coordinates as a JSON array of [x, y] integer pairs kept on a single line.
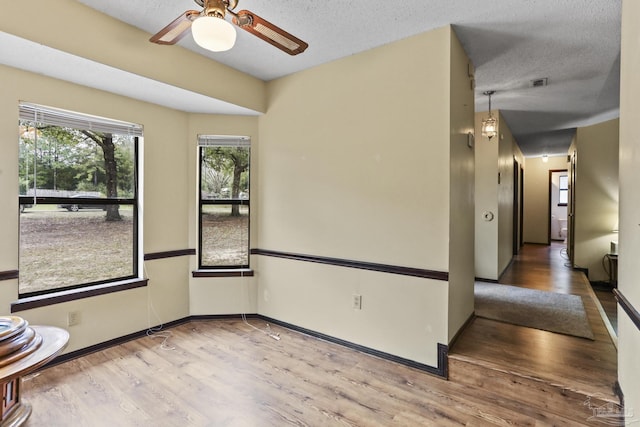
[[60, 248]]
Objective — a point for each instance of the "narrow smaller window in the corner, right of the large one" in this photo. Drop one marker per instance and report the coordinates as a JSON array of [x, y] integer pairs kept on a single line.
[[224, 202]]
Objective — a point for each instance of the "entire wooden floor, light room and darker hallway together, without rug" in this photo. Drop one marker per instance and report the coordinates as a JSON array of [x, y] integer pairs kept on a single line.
[[225, 373]]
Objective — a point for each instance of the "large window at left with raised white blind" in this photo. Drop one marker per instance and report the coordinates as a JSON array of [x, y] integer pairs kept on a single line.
[[78, 200]]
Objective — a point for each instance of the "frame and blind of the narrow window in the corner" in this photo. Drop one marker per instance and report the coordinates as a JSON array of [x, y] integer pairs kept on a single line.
[[228, 141]]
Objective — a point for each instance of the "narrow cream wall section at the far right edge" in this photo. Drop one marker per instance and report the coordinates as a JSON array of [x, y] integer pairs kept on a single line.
[[629, 236]]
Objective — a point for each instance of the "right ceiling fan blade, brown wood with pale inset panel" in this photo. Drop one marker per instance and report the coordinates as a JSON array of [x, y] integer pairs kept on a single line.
[[268, 32]]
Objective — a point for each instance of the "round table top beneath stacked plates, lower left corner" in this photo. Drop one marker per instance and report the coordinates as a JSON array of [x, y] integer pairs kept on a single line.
[[54, 340]]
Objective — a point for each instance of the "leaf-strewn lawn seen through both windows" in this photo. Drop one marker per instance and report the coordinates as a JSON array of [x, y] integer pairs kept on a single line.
[[59, 249]]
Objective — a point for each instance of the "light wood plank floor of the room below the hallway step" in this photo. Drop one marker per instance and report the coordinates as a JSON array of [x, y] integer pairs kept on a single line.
[[224, 373]]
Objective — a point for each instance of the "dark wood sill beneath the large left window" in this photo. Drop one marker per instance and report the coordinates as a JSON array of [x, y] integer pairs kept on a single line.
[[76, 294]]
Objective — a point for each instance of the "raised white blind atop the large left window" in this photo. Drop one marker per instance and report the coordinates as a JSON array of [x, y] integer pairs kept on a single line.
[[64, 118]]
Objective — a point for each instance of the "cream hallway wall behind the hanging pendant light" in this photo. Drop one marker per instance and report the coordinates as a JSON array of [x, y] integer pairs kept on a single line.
[[494, 239]]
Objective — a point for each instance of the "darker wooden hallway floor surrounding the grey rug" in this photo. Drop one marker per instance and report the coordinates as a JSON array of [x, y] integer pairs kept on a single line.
[[571, 365]]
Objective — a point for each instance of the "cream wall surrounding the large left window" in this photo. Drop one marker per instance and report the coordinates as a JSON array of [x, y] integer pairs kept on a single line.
[[165, 209]]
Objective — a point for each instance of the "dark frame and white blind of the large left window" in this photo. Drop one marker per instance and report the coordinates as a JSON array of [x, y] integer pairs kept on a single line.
[[77, 120]]
